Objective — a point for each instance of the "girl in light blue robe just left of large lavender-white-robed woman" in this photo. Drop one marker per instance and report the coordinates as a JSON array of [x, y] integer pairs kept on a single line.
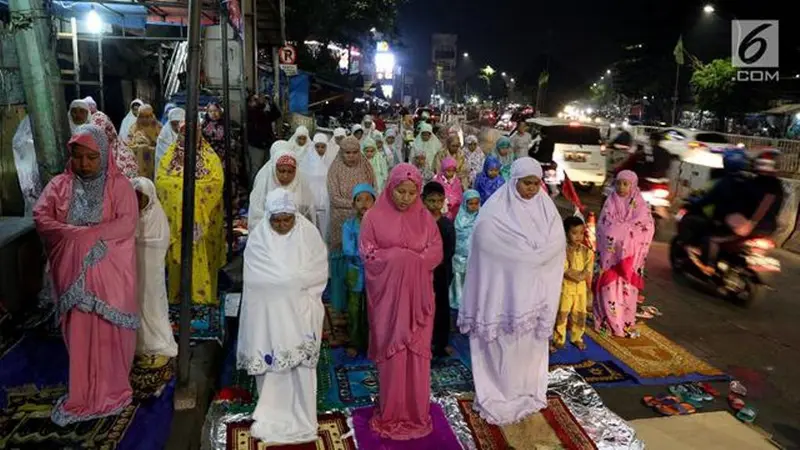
[[464, 224]]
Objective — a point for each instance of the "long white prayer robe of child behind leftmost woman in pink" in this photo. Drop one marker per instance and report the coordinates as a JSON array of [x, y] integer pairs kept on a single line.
[[152, 242]]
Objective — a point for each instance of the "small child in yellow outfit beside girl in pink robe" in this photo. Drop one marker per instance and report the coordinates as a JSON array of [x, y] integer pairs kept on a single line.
[[575, 287]]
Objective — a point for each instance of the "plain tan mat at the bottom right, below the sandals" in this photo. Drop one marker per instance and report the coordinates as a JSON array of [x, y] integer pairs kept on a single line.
[[706, 431]]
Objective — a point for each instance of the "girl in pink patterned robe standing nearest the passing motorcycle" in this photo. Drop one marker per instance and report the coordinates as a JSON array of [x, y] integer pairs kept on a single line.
[[624, 233]]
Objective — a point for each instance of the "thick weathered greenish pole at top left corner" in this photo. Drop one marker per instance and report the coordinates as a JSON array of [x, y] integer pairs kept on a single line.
[[41, 80]]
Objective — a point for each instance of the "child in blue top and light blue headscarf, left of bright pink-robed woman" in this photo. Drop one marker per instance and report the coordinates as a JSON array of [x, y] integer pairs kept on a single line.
[[357, 326]]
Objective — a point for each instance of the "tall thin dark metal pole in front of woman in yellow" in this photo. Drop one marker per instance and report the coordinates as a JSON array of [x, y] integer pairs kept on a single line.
[[186, 396]]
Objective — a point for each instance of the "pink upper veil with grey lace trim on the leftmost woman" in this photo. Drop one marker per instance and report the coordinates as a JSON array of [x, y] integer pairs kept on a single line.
[[93, 265]]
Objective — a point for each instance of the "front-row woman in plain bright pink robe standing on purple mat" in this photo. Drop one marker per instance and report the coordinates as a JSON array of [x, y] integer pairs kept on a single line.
[[400, 246]]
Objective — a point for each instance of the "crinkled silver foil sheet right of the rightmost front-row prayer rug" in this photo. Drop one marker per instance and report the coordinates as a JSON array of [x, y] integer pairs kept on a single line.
[[608, 430]]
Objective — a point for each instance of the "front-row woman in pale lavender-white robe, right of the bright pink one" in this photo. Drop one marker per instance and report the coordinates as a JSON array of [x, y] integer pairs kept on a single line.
[[511, 295]]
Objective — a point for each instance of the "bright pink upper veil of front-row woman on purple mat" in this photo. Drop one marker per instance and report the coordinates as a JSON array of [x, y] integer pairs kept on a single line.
[[400, 249]]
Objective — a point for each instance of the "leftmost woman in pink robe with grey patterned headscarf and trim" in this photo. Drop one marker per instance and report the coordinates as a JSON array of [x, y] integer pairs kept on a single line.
[[87, 218]]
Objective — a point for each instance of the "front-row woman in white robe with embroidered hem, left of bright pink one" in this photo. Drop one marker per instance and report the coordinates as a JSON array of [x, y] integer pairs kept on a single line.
[[285, 272]]
